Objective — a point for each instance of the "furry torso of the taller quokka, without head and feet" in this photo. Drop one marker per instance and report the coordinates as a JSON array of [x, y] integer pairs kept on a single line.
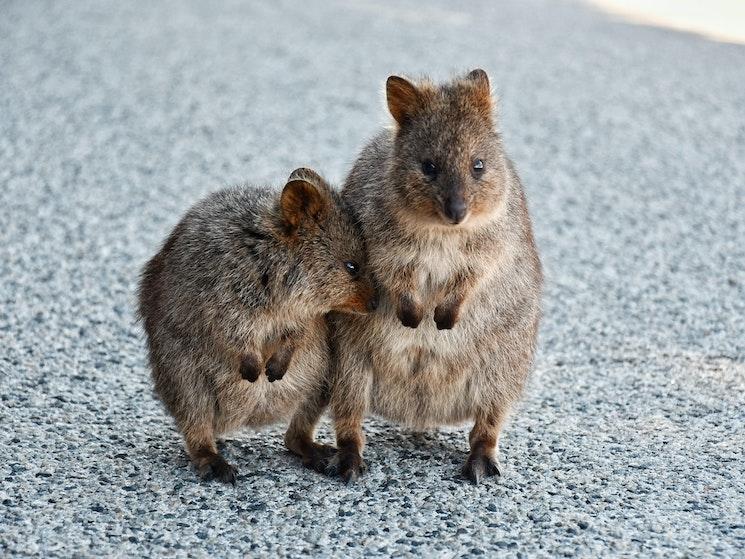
[[425, 376]]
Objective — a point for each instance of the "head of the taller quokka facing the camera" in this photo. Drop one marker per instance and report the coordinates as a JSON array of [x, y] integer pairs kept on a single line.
[[448, 165]]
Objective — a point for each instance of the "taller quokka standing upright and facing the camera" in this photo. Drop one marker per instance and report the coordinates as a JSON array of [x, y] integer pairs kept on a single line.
[[450, 244]]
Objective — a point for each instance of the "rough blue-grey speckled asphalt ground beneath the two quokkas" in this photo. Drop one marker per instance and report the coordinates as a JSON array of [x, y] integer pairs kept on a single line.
[[114, 118]]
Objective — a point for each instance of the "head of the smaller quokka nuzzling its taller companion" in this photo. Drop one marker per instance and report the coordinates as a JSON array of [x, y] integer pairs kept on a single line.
[[329, 245]]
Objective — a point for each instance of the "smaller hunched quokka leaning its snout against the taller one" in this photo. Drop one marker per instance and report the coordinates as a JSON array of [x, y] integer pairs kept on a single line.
[[239, 289]]
